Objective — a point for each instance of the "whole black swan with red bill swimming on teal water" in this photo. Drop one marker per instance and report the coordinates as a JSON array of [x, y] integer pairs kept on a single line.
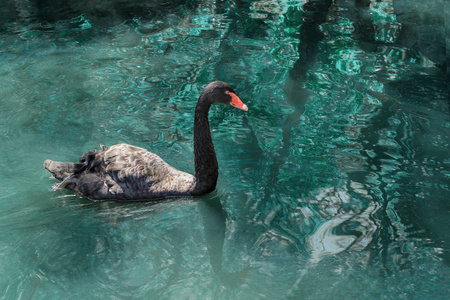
[[125, 172]]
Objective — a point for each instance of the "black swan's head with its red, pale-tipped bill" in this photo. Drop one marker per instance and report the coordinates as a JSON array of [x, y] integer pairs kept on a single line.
[[222, 92]]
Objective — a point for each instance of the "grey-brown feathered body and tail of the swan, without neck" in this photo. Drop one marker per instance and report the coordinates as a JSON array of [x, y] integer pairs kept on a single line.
[[121, 172]]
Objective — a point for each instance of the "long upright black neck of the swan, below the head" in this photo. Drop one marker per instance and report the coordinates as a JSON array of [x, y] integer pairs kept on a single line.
[[206, 167]]
